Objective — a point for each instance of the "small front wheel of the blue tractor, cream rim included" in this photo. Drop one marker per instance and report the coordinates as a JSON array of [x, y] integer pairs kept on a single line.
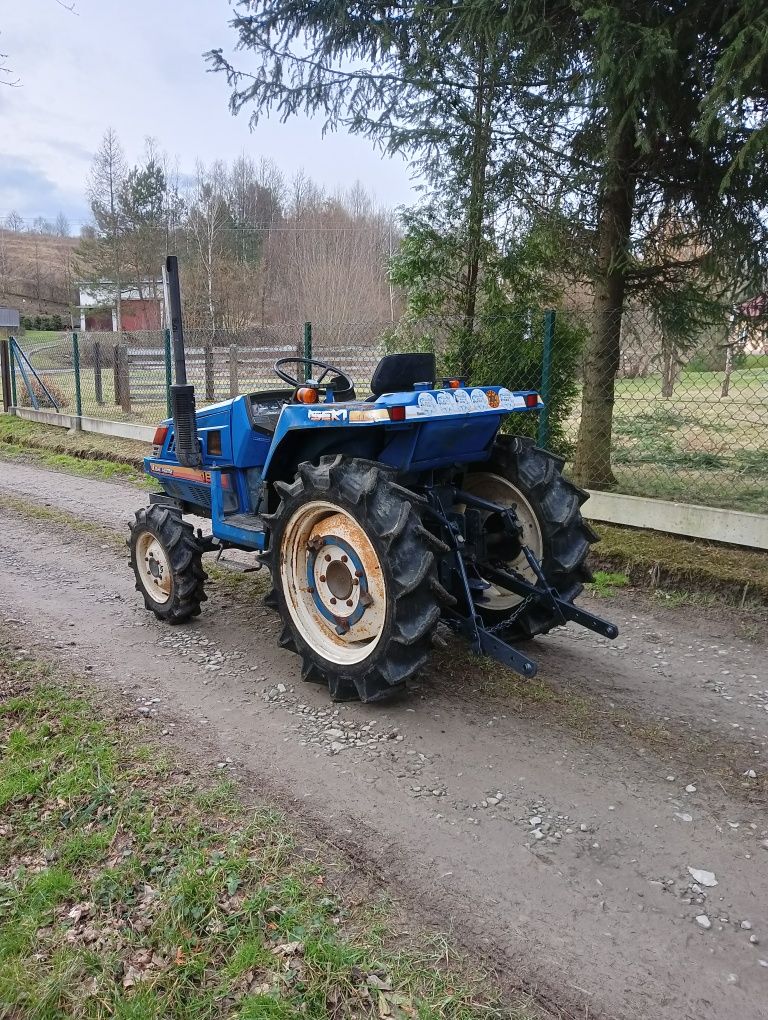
[[168, 565]]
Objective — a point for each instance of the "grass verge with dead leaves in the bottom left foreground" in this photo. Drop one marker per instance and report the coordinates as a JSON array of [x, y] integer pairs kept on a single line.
[[134, 890]]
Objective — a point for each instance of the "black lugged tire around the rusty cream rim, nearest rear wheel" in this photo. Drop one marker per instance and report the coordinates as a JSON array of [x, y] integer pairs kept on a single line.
[[368, 491]]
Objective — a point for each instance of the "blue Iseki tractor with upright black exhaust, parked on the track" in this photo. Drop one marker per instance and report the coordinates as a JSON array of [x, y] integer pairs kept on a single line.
[[379, 517]]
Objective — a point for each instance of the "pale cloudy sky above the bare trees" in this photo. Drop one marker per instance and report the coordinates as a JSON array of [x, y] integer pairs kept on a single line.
[[138, 67]]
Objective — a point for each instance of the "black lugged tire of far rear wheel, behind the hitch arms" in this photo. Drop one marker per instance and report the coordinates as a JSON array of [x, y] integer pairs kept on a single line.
[[567, 536]]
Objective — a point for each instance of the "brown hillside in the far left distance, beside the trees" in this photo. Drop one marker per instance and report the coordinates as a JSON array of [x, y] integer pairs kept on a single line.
[[36, 272]]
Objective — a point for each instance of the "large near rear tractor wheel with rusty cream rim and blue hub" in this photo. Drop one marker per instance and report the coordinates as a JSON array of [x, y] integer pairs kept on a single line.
[[355, 578]]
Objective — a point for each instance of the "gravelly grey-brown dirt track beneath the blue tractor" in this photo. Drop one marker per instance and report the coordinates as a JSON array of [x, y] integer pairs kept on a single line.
[[598, 913]]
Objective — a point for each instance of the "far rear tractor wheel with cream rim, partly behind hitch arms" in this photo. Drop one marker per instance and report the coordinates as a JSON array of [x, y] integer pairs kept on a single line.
[[548, 507]]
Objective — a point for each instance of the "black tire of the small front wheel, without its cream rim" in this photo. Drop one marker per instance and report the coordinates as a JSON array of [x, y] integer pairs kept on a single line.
[[185, 557]]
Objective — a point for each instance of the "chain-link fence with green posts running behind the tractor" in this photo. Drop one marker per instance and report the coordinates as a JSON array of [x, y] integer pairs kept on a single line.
[[686, 421]]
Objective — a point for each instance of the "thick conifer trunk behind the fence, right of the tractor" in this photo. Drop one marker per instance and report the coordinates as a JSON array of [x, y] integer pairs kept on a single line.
[[592, 467]]
